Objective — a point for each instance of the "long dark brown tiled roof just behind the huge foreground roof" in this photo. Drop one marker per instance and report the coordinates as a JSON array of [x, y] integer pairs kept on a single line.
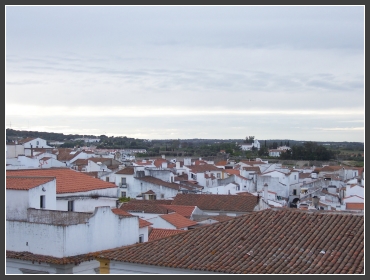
[[217, 202]]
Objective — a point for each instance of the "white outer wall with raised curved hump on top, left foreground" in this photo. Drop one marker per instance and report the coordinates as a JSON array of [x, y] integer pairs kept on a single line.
[[104, 230]]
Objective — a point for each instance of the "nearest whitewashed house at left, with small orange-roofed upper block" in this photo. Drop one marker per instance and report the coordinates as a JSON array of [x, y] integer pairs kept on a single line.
[[60, 241]]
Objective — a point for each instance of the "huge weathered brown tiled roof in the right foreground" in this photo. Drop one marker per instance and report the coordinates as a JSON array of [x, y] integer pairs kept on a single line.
[[285, 241]]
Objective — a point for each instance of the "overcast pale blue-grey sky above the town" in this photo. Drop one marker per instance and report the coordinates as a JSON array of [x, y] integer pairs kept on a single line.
[[168, 72]]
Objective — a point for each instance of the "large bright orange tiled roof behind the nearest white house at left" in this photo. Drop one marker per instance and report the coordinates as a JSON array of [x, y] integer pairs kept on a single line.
[[68, 180]]
